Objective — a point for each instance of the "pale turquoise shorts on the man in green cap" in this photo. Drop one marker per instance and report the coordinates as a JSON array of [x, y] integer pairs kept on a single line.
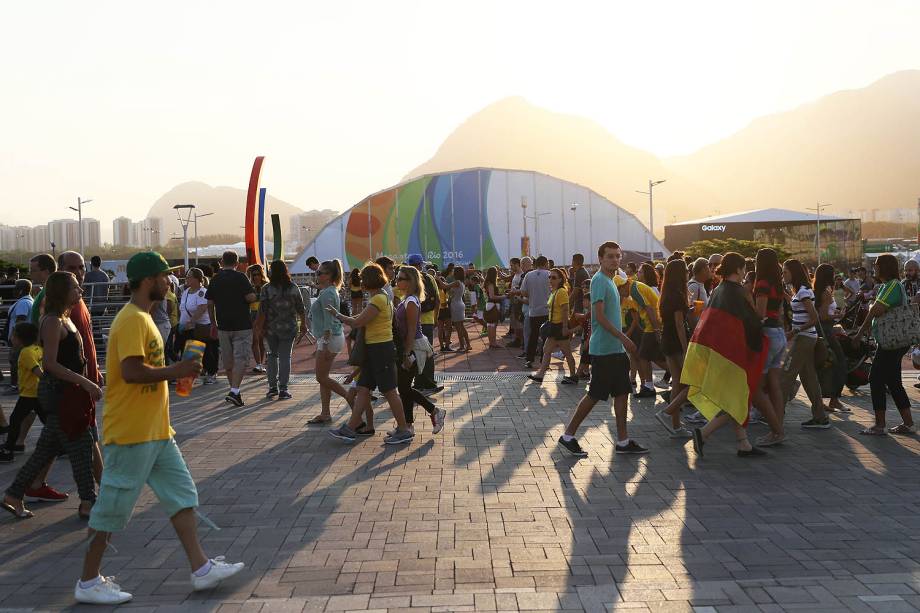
[[128, 468]]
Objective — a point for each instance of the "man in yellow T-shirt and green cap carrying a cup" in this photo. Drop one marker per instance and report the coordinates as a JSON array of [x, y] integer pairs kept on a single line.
[[138, 439]]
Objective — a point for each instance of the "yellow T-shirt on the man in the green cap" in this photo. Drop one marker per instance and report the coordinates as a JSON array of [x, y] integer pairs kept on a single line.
[[134, 412]]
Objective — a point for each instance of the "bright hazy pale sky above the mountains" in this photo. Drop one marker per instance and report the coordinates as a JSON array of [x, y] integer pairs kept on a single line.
[[120, 102]]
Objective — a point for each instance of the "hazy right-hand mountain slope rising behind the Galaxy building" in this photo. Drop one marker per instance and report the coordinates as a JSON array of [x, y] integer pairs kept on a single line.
[[857, 149]]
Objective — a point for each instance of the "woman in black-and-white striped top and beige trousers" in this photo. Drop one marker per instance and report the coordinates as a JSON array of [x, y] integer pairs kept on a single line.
[[800, 358]]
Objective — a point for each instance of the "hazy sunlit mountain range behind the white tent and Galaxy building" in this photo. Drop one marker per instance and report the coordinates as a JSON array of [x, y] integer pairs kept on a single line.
[[857, 149]]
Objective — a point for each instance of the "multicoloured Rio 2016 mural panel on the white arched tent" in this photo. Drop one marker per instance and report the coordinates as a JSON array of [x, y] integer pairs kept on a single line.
[[441, 217]]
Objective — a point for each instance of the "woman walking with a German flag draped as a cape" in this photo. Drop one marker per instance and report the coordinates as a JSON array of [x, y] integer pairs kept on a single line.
[[725, 360]]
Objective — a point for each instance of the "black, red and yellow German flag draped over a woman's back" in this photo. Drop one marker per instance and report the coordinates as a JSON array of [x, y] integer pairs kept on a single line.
[[726, 355]]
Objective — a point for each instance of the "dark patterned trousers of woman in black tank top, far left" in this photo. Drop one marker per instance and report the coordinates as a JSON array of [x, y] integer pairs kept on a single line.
[[51, 443]]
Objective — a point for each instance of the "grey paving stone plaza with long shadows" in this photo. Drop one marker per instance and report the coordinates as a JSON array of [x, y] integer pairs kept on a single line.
[[490, 515]]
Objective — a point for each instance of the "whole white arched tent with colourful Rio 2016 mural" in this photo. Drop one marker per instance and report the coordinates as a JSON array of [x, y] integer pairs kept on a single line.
[[484, 216]]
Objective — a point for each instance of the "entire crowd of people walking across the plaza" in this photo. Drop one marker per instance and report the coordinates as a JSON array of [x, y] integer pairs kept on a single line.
[[734, 338]]
